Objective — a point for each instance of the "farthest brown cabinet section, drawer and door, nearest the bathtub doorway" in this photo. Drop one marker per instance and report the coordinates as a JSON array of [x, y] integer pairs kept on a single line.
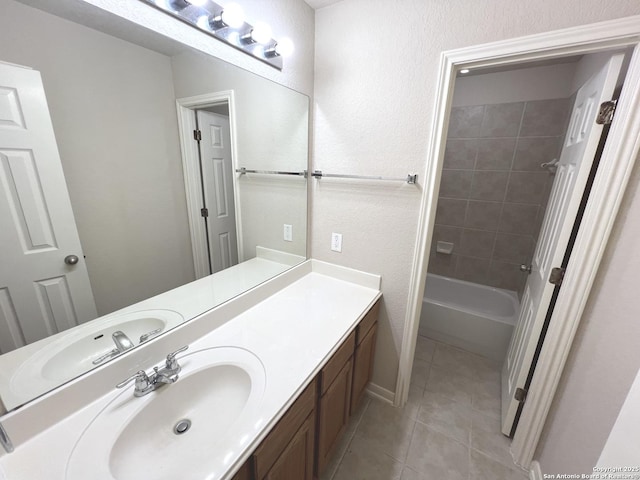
[[366, 333]]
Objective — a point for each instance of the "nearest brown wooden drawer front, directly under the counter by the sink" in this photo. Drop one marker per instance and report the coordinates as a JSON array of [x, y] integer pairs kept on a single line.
[[271, 447]]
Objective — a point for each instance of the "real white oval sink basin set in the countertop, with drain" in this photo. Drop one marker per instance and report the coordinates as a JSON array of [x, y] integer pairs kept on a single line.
[[189, 429]]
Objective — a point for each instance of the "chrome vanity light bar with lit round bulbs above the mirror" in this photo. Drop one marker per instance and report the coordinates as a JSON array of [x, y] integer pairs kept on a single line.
[[226, 23]]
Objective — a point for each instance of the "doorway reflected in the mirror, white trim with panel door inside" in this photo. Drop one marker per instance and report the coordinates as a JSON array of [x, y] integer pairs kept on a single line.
[[208, 143]]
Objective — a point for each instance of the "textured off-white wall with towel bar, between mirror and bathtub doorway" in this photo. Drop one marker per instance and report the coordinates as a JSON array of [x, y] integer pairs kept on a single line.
[[376, 73]]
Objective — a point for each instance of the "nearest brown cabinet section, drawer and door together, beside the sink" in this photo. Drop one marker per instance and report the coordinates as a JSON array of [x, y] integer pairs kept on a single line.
[[288, 450]]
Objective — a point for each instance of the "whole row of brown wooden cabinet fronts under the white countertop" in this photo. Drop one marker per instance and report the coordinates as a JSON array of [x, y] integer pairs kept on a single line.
[[302, 442]]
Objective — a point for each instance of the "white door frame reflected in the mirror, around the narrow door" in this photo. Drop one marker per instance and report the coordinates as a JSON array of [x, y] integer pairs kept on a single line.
[[191, 169]]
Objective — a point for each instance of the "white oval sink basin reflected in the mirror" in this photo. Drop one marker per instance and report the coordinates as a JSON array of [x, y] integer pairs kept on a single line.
[[72, 352]]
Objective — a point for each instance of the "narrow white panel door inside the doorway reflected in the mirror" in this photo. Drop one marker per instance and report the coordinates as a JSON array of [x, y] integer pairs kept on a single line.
[[217, 184]]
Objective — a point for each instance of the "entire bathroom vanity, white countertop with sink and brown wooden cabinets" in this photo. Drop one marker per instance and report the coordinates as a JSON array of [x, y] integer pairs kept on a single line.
[[266, 388]]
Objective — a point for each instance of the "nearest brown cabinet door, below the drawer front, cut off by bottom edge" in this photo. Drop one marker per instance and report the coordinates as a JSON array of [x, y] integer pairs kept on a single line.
[[296, 461]]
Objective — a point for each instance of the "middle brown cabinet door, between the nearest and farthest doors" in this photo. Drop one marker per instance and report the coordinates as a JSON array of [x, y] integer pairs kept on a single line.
[[333, 414]]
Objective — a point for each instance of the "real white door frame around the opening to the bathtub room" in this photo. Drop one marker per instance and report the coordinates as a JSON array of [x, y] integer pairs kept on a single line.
[[618, 158]]
